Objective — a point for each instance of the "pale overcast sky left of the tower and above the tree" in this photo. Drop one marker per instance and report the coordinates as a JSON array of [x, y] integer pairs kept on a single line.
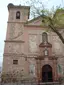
[[4, 17]]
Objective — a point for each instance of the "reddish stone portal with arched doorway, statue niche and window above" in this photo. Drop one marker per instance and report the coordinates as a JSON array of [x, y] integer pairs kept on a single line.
[[46, 62]]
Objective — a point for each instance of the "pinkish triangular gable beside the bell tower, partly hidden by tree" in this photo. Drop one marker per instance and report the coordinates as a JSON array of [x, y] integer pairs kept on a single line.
[[35, 22]]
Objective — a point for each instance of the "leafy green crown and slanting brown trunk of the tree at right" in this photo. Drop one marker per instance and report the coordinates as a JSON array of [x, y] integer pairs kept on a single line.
[[55, 22]]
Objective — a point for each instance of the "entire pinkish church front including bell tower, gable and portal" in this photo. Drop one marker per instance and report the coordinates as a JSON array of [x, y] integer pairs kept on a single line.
[[30, 49]]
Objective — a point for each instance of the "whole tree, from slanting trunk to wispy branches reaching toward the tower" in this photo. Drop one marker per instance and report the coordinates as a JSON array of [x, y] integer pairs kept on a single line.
[[54, 19]]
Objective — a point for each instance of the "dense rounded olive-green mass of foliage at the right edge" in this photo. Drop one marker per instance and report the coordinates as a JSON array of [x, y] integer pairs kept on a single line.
[[58, 18]]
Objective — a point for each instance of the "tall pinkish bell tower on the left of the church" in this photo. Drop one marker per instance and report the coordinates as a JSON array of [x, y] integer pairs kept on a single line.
[[14, 43]]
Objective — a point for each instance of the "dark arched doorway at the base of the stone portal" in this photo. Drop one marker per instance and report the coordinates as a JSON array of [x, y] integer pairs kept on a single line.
[[47, 73]]
